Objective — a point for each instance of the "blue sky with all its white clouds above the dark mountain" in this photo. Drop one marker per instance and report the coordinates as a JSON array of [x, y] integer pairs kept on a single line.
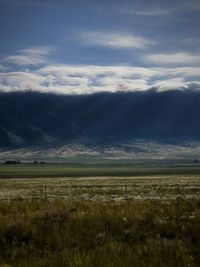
[[89, 46]]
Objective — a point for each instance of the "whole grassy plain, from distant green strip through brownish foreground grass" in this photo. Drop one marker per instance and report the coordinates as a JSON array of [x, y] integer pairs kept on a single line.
[[142, 215]]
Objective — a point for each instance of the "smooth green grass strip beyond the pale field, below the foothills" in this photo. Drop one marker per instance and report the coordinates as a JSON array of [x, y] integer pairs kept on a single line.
[[86, 169]]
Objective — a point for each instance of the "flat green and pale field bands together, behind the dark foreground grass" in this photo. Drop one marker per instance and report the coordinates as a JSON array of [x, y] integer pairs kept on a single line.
[[101, 181]]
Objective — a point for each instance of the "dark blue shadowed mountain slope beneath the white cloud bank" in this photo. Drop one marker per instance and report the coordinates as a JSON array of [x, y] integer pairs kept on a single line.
[[35, 118]]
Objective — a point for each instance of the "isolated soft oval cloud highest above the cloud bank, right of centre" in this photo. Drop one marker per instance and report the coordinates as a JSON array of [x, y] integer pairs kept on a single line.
[[114, 40]]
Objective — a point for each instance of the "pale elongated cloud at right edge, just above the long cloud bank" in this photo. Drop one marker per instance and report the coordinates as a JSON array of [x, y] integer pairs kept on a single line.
[[181, 58]]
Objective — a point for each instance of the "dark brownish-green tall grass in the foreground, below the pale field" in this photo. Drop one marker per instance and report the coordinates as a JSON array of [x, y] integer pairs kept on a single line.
[[61, 233]]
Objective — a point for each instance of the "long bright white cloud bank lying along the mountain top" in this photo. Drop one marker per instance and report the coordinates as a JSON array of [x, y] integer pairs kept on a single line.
[[86, 79]]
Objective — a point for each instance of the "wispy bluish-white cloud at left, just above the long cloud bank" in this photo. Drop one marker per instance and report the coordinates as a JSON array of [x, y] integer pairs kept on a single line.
[[33, 56]]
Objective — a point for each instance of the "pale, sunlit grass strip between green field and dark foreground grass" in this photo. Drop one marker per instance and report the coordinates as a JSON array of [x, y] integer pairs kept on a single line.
[[103, 188]]
